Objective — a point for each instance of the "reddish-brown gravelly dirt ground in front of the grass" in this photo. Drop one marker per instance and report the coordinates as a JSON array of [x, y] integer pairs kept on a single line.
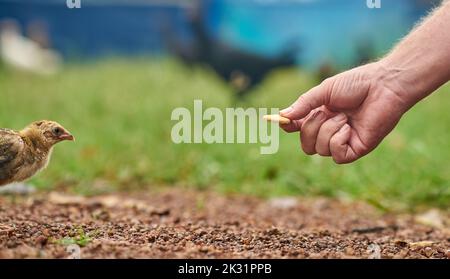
[[182, 224]]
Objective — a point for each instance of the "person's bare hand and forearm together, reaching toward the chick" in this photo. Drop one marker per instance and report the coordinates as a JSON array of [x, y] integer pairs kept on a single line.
[[348, 115]]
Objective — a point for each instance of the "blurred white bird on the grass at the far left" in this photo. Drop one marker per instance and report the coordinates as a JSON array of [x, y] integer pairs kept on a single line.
[[22, 53]]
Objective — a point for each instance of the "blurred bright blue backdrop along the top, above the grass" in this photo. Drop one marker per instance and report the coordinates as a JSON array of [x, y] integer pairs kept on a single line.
[[325, 31]]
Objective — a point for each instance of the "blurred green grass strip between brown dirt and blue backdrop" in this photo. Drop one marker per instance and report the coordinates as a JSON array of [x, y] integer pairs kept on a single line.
[[119, 110]]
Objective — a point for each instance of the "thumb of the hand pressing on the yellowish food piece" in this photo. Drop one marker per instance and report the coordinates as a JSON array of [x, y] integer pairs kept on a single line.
[[312, 99]]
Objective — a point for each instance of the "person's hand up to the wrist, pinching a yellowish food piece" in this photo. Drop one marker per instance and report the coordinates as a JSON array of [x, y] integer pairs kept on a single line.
[[348, 115]]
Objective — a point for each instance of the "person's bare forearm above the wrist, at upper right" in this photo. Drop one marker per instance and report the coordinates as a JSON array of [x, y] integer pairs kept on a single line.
[[420, 64]]
